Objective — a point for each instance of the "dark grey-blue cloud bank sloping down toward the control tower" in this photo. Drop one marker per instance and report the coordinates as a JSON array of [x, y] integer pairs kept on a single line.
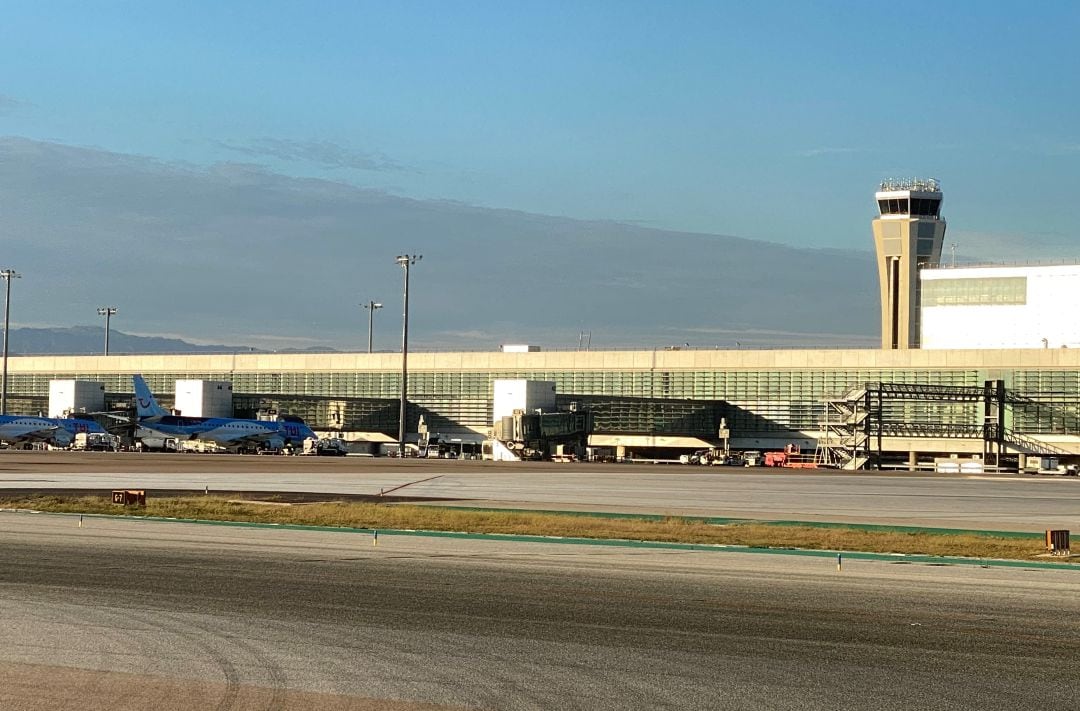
[[241, 254]]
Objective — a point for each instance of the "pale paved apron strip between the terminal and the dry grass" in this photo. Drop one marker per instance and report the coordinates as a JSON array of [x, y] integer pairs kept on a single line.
[[1028, 503]]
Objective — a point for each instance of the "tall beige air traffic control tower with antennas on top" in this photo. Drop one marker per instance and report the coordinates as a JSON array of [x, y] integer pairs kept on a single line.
[[909, 233]]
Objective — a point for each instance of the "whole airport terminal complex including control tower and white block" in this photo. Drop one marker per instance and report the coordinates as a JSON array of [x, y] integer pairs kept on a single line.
[[973, 360]]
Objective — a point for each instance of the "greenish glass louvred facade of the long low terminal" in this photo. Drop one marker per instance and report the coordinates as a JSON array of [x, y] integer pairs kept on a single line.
[[685, 403]]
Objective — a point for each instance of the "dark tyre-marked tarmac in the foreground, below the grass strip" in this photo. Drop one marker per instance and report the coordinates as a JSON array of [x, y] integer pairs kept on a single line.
[[132, 615]]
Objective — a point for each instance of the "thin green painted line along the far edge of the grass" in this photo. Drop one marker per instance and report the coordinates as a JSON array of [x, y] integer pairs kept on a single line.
[[723, 521]]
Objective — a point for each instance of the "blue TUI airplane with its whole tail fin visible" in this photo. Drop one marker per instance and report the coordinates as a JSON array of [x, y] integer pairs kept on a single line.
[[225, 432]]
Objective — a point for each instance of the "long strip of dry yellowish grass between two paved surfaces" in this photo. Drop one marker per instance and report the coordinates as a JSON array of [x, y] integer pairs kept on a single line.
[[673, 530]]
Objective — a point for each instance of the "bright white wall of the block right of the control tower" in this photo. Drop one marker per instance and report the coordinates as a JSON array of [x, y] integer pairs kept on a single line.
[[1052, 312]]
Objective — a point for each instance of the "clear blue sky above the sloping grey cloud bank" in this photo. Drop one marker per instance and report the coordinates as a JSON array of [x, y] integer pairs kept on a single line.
[[769, 122]]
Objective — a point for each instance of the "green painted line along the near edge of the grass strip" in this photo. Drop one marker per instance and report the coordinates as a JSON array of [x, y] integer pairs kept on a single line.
[[615, 543]]
